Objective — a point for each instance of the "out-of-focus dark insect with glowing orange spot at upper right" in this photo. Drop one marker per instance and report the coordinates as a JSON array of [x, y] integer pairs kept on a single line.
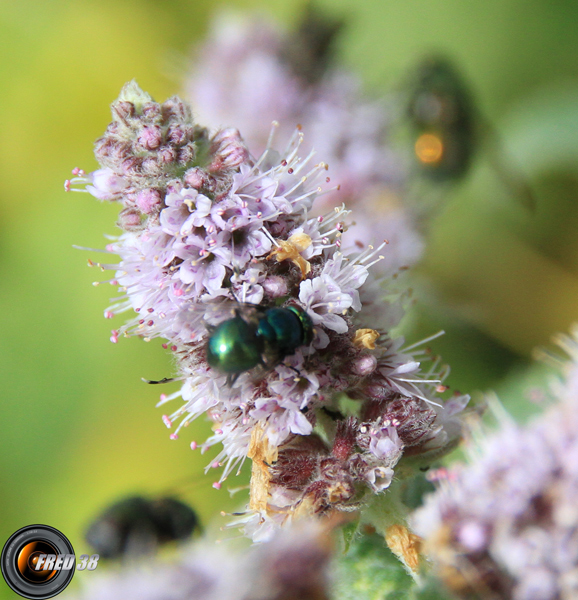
[[448, 129]]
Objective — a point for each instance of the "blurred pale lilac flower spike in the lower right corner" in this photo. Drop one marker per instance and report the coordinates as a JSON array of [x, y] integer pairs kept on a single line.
[[504, 525]]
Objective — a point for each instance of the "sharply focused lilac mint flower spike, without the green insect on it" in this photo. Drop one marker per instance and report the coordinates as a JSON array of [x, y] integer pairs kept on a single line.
[[230, 234]]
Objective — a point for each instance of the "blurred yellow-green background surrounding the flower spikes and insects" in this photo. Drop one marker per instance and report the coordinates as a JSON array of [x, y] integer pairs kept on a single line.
[[78, 426]]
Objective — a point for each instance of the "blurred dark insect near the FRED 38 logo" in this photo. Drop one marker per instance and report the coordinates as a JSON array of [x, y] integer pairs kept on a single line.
[[136, 526]]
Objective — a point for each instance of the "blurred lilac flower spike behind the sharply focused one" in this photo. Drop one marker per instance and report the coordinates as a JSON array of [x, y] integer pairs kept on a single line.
[[250, 72]]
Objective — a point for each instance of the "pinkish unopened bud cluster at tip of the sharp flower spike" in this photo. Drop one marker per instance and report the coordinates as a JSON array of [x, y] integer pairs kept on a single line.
[[149, 149]]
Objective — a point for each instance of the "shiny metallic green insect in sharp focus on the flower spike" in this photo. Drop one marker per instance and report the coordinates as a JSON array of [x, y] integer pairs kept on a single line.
[[257, 337]]
